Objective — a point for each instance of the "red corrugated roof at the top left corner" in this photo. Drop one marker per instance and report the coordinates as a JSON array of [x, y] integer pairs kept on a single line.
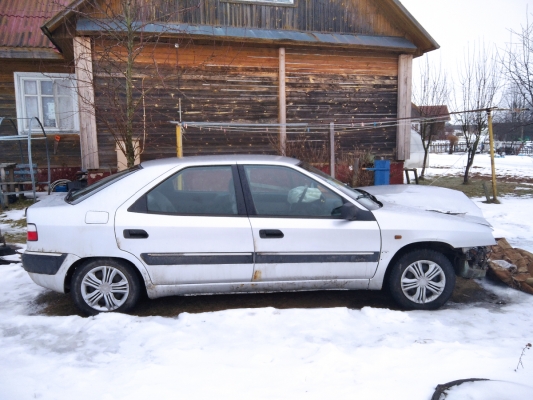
[[21, 21]]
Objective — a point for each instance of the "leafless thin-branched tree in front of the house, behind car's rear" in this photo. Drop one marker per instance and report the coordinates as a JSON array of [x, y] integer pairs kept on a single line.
[[124, 32]]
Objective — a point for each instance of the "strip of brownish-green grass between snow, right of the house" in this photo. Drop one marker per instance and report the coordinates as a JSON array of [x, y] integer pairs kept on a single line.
[[475, 187]]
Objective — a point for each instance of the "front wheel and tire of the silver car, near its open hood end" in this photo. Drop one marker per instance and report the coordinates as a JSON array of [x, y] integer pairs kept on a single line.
[[422, 280]]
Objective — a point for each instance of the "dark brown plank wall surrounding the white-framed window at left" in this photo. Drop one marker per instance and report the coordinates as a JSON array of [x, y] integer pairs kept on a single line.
[[69, 147]]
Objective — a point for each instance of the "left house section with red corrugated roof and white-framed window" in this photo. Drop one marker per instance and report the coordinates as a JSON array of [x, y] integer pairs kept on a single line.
[[31, 69]]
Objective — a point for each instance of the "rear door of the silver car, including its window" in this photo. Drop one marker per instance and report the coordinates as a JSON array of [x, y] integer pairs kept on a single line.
[[191, 228]]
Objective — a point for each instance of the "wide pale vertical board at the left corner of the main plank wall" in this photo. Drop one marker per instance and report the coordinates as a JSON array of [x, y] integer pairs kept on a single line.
[[84, 77]]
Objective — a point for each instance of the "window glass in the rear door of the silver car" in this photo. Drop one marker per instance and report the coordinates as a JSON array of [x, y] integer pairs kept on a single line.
[[195, 191]]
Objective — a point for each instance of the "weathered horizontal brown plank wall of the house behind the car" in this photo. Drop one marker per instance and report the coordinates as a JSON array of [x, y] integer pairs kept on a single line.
[[239, 83]]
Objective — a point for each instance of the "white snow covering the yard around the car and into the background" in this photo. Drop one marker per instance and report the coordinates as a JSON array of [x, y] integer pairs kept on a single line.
[[266, 353]]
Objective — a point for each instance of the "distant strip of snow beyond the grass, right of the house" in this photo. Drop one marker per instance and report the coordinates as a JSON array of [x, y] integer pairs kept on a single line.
[[454, 164]]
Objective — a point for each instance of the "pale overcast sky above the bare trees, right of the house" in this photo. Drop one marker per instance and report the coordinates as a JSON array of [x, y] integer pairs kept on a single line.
[[456, 24]]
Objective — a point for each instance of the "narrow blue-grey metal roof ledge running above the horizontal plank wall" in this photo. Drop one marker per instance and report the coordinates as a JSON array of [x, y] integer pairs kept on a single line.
[[85, 26]]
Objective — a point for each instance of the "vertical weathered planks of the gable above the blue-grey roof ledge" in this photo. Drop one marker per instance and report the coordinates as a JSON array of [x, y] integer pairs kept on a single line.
[[340, 16]]
